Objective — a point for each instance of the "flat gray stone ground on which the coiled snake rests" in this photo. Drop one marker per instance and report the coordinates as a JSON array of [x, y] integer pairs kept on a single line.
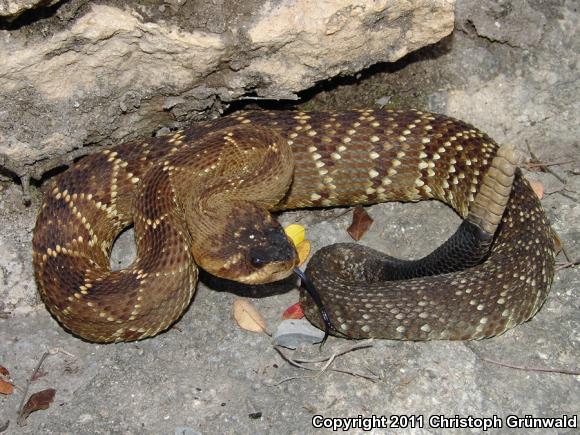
[[208, 376]]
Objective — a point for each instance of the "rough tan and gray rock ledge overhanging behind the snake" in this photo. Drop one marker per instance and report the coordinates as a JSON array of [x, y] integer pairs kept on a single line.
[[111, 74]]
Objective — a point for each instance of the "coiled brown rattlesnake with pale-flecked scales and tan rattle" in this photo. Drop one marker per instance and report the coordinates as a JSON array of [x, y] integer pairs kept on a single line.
[[202, 197]]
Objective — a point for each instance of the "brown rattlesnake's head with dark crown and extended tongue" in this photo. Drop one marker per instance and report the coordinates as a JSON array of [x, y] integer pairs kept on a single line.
[[252, 248]]
